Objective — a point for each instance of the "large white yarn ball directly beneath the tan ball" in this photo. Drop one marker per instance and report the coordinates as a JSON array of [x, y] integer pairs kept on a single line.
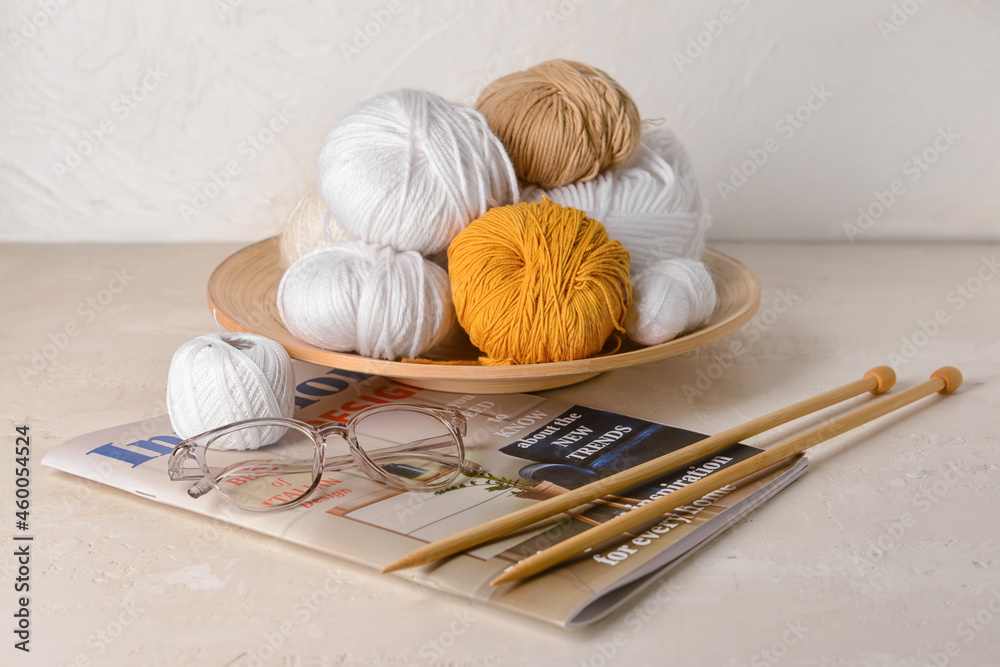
[[652, 204]]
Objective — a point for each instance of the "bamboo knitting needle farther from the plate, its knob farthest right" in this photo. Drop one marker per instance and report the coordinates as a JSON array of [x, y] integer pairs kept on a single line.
[[944, 380]]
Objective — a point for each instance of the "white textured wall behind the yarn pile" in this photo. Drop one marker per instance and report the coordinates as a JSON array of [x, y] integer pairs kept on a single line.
[[211, 73]]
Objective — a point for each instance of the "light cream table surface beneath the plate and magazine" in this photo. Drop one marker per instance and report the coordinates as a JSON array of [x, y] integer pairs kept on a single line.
[[886, 553]]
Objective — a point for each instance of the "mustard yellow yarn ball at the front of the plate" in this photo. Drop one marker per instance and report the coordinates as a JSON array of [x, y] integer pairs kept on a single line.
[[538, 282]]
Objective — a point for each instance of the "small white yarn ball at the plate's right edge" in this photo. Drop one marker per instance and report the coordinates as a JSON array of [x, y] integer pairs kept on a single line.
[[668, 298]]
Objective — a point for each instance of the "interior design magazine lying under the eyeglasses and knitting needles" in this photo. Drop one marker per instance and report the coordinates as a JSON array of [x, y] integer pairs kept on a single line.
[[529, 446]]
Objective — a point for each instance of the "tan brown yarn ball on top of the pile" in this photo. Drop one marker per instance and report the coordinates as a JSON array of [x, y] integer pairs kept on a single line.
[[562, 121]]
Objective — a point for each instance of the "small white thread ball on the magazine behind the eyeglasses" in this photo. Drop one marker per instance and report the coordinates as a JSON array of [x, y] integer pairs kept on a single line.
[[215, 380]]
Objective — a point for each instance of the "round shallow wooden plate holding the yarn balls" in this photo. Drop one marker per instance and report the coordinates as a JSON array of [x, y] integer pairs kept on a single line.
[[243, 291]]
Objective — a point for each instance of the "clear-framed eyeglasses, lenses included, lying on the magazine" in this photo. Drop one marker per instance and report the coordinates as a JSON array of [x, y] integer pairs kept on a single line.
[[277, 463]]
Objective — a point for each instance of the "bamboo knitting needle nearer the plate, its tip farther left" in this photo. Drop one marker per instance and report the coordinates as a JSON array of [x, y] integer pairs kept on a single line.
[[877, 380]]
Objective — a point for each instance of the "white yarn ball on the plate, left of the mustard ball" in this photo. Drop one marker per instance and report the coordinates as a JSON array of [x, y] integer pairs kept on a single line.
[[367, 298]]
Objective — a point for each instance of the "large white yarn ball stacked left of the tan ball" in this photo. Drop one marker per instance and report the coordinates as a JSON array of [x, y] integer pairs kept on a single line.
[[410, 170]]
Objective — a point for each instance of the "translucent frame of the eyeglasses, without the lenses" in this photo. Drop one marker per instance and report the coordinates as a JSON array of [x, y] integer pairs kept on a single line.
[[188, 450]]
